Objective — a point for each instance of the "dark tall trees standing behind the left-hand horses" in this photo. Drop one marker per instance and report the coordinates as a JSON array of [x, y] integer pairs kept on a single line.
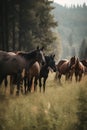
[[25, 24]]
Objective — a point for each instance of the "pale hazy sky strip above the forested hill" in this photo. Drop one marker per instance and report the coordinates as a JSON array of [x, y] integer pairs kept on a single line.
[[69, 2]]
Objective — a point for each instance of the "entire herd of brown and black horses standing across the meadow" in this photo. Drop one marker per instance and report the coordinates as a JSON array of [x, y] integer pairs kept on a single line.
[[25, 68]]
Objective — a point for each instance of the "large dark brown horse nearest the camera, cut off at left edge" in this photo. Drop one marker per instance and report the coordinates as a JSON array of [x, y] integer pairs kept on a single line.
[[14, 64]]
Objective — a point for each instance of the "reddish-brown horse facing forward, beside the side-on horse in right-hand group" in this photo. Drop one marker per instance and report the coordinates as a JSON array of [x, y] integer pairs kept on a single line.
[[79, 70]]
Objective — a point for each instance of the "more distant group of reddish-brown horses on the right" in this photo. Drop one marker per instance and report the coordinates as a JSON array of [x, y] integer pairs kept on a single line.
[[71, 67]]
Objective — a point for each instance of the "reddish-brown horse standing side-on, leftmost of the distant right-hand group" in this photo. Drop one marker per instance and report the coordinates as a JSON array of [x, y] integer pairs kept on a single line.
[[64, 67]]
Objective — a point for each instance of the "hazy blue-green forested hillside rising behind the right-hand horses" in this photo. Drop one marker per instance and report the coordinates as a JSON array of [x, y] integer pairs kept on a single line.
[[72, 28]]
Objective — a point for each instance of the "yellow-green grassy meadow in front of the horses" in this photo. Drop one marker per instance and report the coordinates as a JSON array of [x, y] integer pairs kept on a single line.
[[61, 107]]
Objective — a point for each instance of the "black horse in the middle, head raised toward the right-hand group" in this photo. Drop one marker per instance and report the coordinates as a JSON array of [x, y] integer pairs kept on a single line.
[[49, 65]]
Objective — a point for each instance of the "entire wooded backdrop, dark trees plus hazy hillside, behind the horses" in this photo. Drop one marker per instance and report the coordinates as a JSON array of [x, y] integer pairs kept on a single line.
[[26, 24]]
